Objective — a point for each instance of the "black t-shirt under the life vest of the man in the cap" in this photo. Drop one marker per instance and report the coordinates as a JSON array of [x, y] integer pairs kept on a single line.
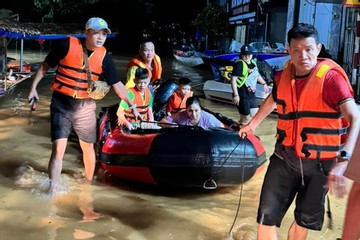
[[60, 50]]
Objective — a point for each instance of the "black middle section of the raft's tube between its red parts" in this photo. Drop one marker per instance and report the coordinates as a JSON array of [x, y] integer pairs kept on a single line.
[[190, 161]]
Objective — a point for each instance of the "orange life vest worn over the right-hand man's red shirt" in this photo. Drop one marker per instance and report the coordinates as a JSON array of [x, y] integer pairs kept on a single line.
[[308, 124]]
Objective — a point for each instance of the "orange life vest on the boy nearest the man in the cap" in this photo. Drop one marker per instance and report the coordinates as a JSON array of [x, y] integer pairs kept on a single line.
[[142, 105]]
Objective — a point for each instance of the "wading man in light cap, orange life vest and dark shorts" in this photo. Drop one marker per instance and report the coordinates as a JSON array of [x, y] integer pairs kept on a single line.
[[71, 108]]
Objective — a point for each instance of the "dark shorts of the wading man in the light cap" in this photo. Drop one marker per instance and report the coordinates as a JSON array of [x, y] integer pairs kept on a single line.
[[78, 115]]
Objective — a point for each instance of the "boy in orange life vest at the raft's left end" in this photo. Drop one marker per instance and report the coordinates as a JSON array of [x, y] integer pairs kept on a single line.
[[141, 97]]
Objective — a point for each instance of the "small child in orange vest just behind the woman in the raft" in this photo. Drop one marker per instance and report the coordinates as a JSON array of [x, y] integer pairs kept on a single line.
[[178, 99]]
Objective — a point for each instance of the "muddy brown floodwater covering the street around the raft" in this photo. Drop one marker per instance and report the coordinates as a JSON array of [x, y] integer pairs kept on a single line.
[[113, 209]]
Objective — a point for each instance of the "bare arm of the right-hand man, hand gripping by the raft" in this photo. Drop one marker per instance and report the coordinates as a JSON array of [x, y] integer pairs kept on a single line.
[[265, 109]]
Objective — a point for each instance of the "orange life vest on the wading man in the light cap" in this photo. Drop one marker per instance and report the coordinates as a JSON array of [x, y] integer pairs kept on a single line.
[[71, 77]]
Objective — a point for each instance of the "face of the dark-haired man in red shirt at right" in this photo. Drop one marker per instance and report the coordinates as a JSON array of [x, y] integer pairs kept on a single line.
[[303, 53]]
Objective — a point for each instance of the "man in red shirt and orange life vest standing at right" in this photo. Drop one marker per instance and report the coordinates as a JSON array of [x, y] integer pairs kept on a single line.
[[313, 99]]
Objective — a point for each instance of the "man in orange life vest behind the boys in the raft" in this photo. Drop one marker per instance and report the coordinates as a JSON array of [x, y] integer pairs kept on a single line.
[[145, 59]]
